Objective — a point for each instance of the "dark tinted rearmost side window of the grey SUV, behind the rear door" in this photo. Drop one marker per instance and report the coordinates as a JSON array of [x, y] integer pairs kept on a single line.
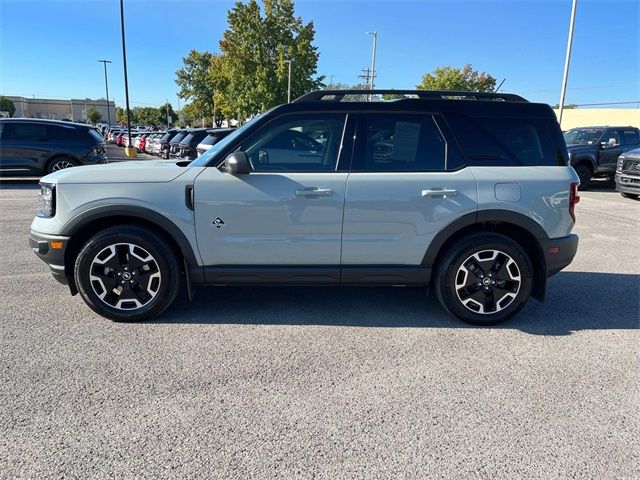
[[505, 141]]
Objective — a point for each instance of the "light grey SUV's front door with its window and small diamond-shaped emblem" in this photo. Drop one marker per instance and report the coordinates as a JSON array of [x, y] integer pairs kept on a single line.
[[288, 210]]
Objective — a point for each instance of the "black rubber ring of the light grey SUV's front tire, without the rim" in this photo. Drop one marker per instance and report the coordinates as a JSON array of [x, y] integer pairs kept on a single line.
[[165, 259]]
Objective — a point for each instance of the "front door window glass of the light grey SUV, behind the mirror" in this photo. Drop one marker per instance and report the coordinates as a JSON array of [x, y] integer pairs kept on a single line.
[[297, 143]]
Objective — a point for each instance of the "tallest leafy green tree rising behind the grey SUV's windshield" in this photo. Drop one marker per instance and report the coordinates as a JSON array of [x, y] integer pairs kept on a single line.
[[255, 51]]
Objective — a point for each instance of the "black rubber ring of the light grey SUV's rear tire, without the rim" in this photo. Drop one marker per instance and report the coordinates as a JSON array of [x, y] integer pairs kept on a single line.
[[447, 273]]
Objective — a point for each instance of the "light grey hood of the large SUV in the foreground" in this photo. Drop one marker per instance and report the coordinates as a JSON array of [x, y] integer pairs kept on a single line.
[[148, 171]]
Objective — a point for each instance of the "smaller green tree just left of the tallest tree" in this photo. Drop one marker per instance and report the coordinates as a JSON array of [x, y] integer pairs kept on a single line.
[[196, 83]]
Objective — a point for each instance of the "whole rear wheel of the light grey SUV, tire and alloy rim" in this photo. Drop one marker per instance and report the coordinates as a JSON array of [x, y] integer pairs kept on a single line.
[[472, 297]]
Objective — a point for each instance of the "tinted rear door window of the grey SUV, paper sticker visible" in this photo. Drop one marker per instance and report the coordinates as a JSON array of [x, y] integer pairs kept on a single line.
[[400, 143]]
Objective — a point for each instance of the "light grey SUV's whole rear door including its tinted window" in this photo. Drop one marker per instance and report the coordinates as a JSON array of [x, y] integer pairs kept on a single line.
[[406, 184]]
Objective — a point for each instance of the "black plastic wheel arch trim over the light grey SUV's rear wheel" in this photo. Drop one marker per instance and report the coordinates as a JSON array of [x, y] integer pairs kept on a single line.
[[525, 231]]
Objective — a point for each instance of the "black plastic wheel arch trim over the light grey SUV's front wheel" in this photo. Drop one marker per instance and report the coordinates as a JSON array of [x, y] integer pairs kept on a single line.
[[82, 227]]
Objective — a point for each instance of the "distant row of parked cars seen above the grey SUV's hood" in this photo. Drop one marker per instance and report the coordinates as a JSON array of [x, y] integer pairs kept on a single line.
[[183, 143]]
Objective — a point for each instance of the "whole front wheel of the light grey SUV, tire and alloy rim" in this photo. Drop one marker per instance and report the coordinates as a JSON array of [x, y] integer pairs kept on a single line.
[[127, 273]]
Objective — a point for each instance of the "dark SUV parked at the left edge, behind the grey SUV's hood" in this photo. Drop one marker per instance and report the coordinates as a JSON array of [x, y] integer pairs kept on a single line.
[[35, 147]]
